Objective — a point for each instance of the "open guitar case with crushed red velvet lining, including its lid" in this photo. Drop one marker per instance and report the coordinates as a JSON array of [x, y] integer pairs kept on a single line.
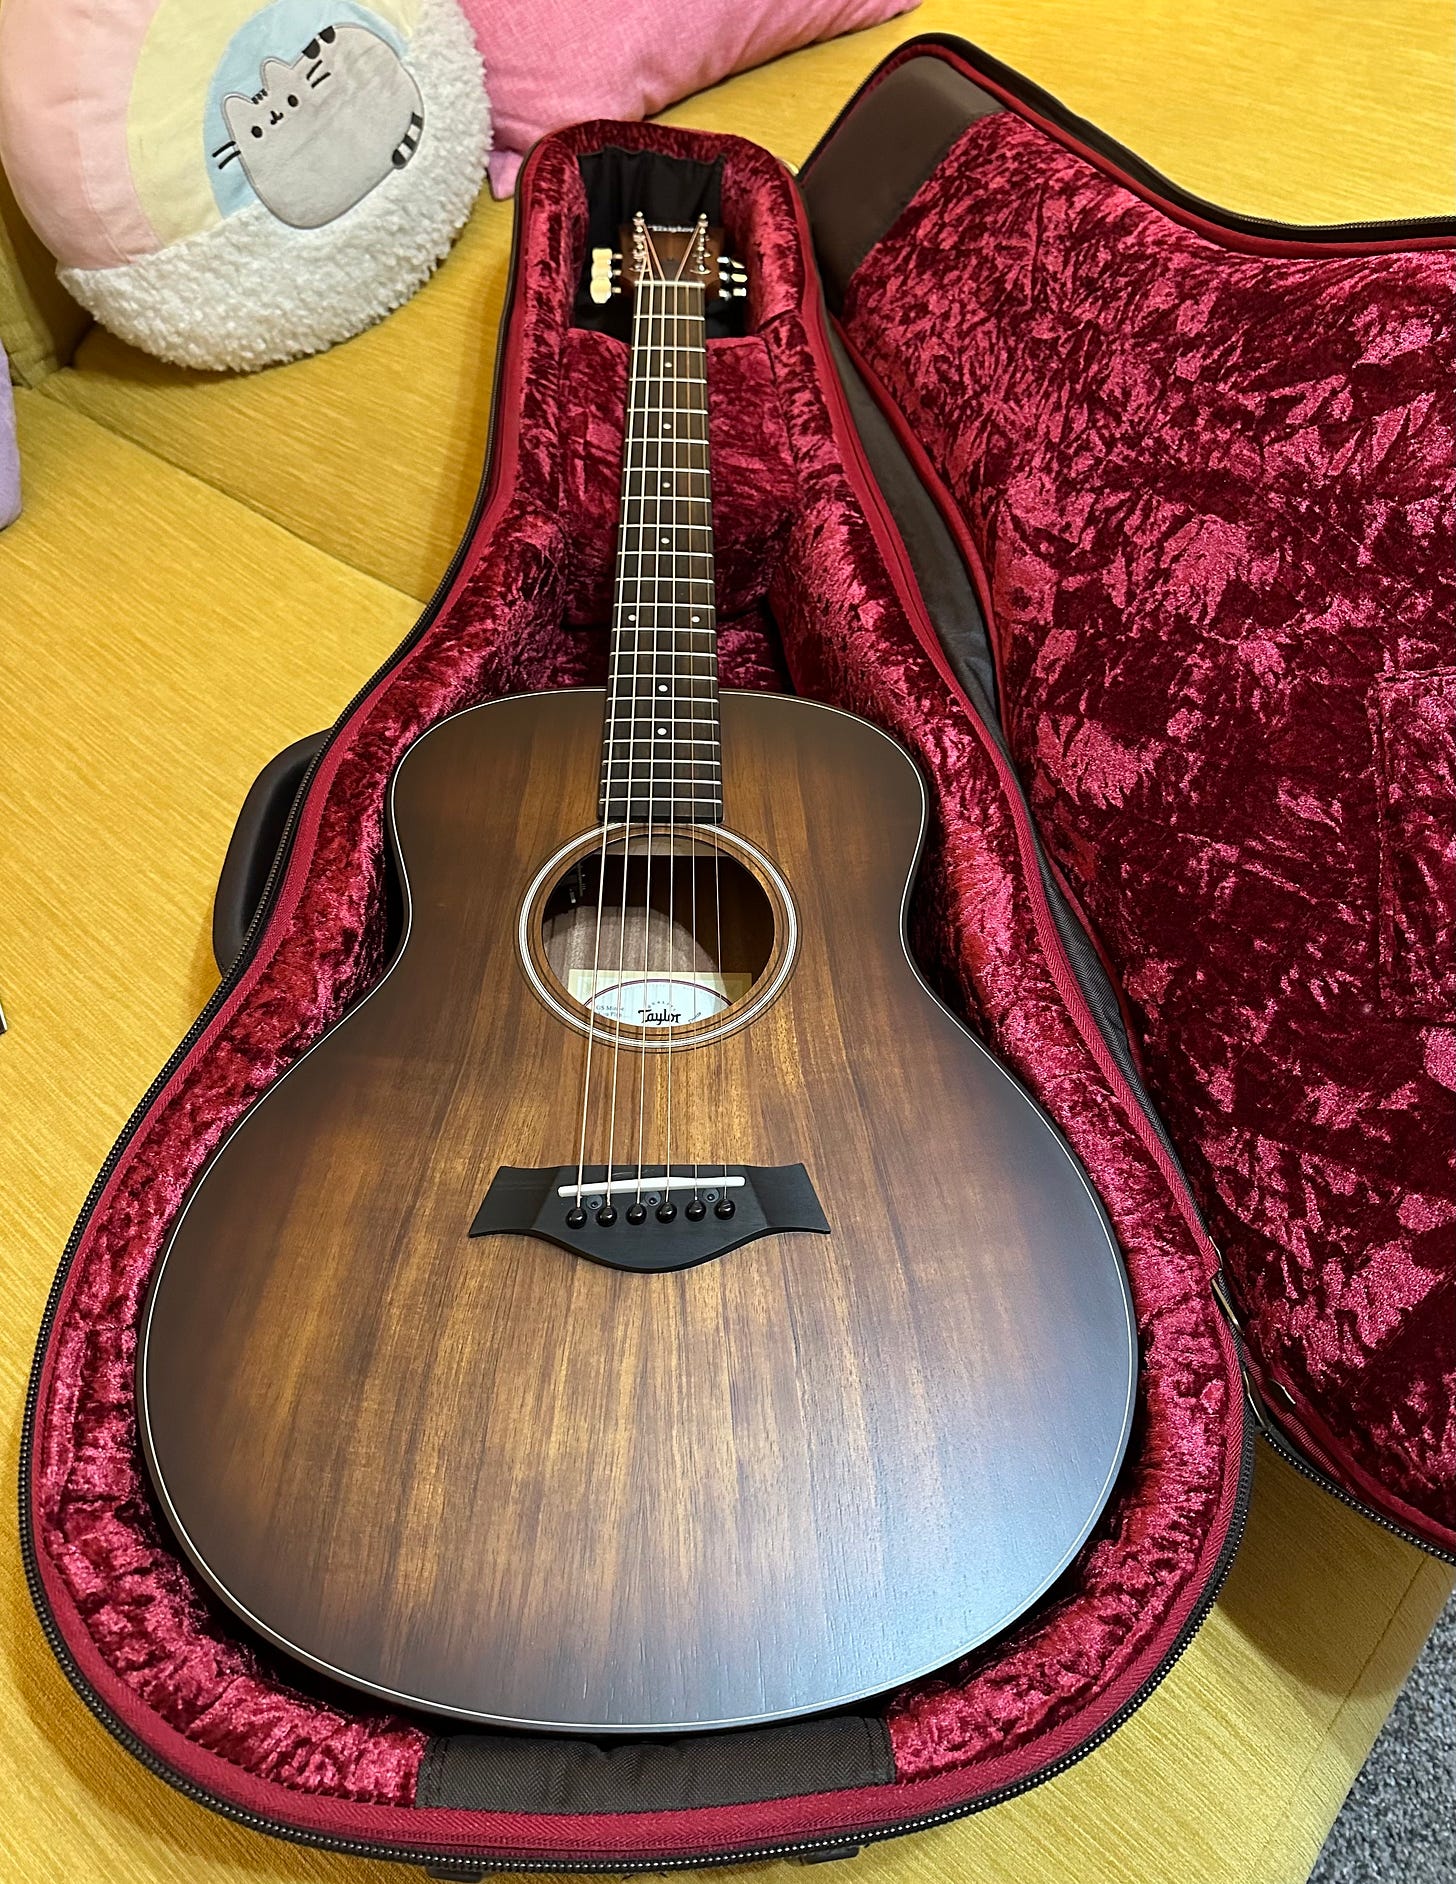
[[1129, 519]]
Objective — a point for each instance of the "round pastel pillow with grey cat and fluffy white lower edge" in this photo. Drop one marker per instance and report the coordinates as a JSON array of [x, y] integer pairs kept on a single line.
[[229, 184]]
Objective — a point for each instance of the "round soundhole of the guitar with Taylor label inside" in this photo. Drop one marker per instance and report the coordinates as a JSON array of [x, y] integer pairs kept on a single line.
[[668, 935]]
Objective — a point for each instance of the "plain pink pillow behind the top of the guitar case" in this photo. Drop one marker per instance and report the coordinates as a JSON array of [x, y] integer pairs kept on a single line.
[[551, 63]]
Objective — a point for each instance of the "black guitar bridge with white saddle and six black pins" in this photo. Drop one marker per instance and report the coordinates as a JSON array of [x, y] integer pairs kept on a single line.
[[651, 1218]]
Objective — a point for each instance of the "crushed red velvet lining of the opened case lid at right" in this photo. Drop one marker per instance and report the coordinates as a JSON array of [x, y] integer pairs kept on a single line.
[[1212, 495]]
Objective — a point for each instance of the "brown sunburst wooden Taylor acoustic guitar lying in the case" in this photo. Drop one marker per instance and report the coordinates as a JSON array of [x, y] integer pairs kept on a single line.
[[649, 1308]]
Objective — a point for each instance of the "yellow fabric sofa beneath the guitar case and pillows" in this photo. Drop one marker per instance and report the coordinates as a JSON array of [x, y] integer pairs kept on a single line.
[[208, 568]]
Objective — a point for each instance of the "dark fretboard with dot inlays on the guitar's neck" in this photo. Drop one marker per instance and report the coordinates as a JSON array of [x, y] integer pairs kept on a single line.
[[662, 756]]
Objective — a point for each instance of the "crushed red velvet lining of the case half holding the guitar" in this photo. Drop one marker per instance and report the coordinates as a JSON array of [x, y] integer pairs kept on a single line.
[[221, 1710]]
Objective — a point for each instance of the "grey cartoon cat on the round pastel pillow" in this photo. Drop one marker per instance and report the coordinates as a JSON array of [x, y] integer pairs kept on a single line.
[[327, 129]]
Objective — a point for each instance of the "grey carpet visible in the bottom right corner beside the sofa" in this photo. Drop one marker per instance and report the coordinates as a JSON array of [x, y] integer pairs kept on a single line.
[[1399, 1825]]
